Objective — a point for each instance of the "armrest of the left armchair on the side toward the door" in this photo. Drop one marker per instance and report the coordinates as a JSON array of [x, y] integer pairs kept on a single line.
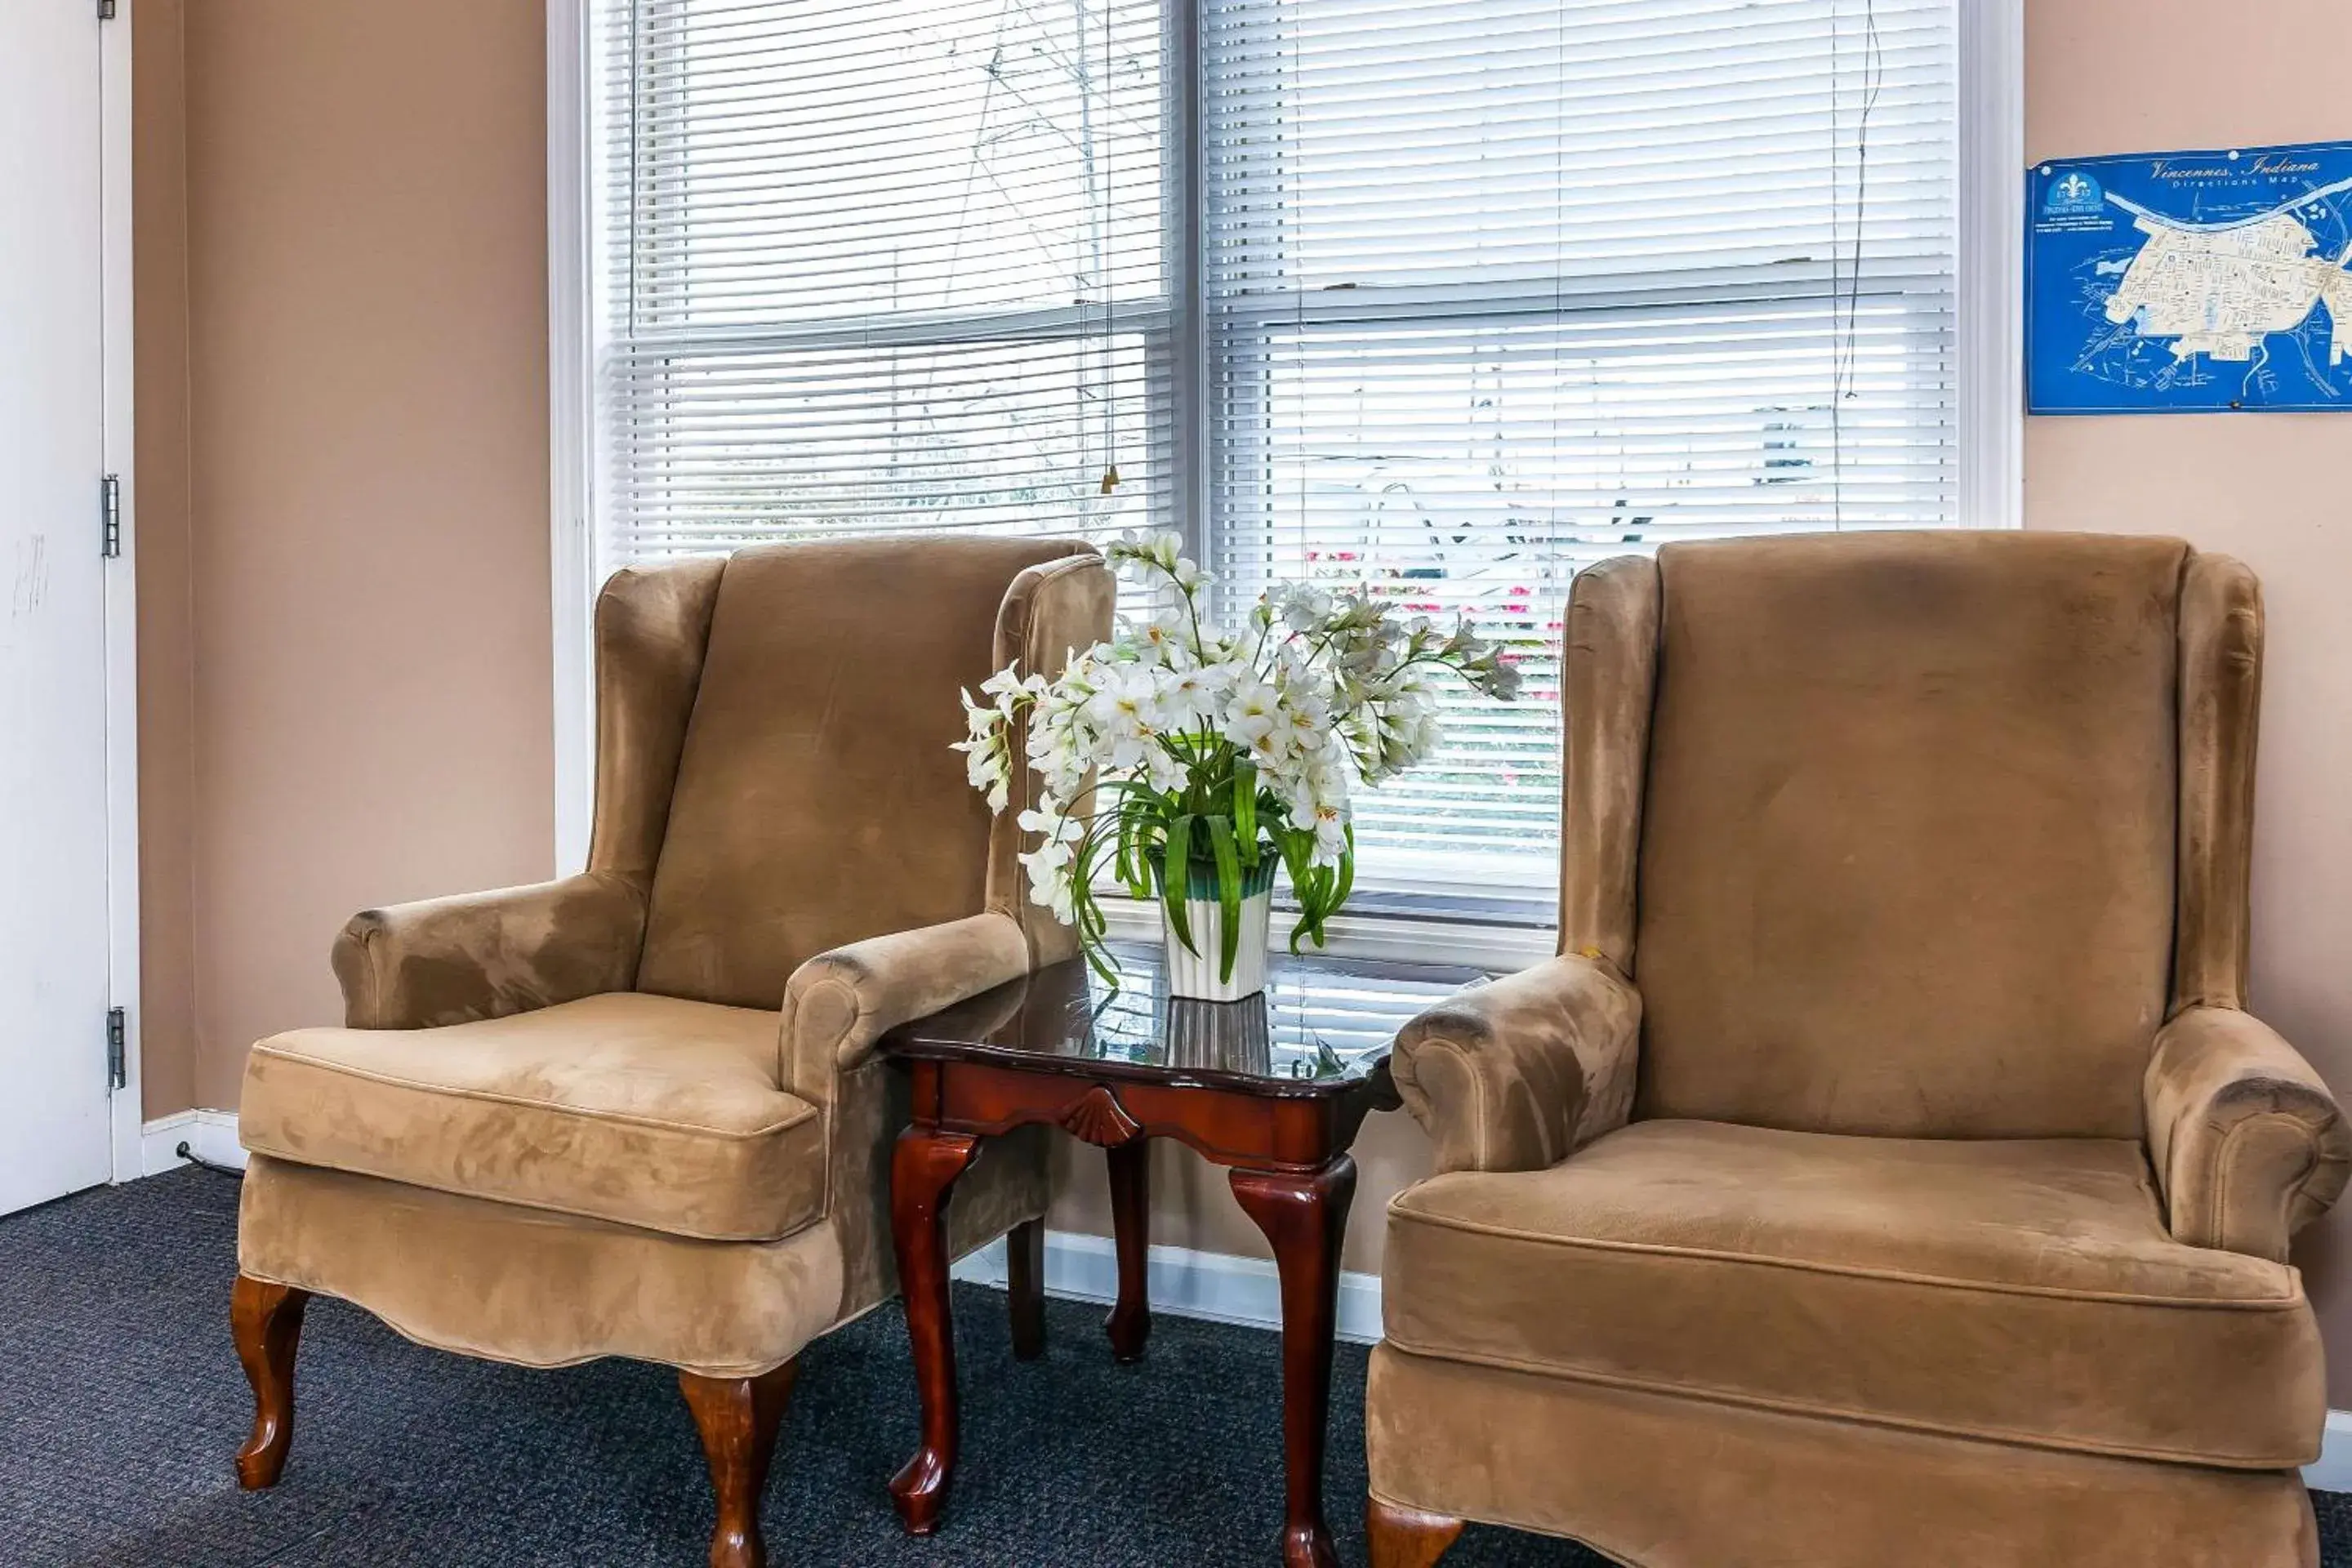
[[488, 956]]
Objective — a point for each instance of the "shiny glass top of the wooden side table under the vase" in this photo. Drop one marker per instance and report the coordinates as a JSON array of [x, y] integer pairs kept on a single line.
[[1321, 1026]]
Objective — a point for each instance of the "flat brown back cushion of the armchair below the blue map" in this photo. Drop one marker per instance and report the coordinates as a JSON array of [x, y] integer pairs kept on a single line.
[[1909, 833]]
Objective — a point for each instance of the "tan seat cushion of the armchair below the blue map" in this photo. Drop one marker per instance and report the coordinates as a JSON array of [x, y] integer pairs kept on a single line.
[[2005, 1289]]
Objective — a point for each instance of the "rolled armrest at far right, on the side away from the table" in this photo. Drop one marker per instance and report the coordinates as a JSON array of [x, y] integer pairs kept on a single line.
[[2245, 1139]]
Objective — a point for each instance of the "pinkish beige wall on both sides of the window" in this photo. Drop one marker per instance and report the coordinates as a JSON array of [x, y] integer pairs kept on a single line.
[[342, 453]]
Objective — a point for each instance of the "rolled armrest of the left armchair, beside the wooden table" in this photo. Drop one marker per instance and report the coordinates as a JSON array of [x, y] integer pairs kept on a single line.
[[841, 1003]]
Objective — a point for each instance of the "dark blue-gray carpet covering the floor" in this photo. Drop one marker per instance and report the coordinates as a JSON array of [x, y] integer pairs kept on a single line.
[[121, 1405]]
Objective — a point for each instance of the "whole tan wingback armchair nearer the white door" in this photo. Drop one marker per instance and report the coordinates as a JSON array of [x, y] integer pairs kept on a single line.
[[636, 1113]]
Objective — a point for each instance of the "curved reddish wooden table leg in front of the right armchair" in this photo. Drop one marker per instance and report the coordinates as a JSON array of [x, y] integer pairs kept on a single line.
[[1304, 1219]]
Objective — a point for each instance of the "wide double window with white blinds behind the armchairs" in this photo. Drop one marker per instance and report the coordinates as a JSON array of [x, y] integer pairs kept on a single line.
[[1450, 297]]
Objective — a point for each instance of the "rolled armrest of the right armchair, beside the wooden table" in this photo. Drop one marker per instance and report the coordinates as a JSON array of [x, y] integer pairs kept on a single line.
[[1518, 1073]]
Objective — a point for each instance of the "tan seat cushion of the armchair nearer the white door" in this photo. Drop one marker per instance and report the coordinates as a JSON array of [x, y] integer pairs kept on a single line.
[[643, 1111]]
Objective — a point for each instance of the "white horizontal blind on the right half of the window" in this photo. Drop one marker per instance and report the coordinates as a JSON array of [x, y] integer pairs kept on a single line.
[[1502, 288]]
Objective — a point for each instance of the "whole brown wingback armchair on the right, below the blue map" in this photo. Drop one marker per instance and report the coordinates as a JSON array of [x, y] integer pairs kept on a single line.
[[1887, 1172]]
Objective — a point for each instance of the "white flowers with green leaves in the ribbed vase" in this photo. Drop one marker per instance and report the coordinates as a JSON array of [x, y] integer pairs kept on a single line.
[[1182, 746]]
